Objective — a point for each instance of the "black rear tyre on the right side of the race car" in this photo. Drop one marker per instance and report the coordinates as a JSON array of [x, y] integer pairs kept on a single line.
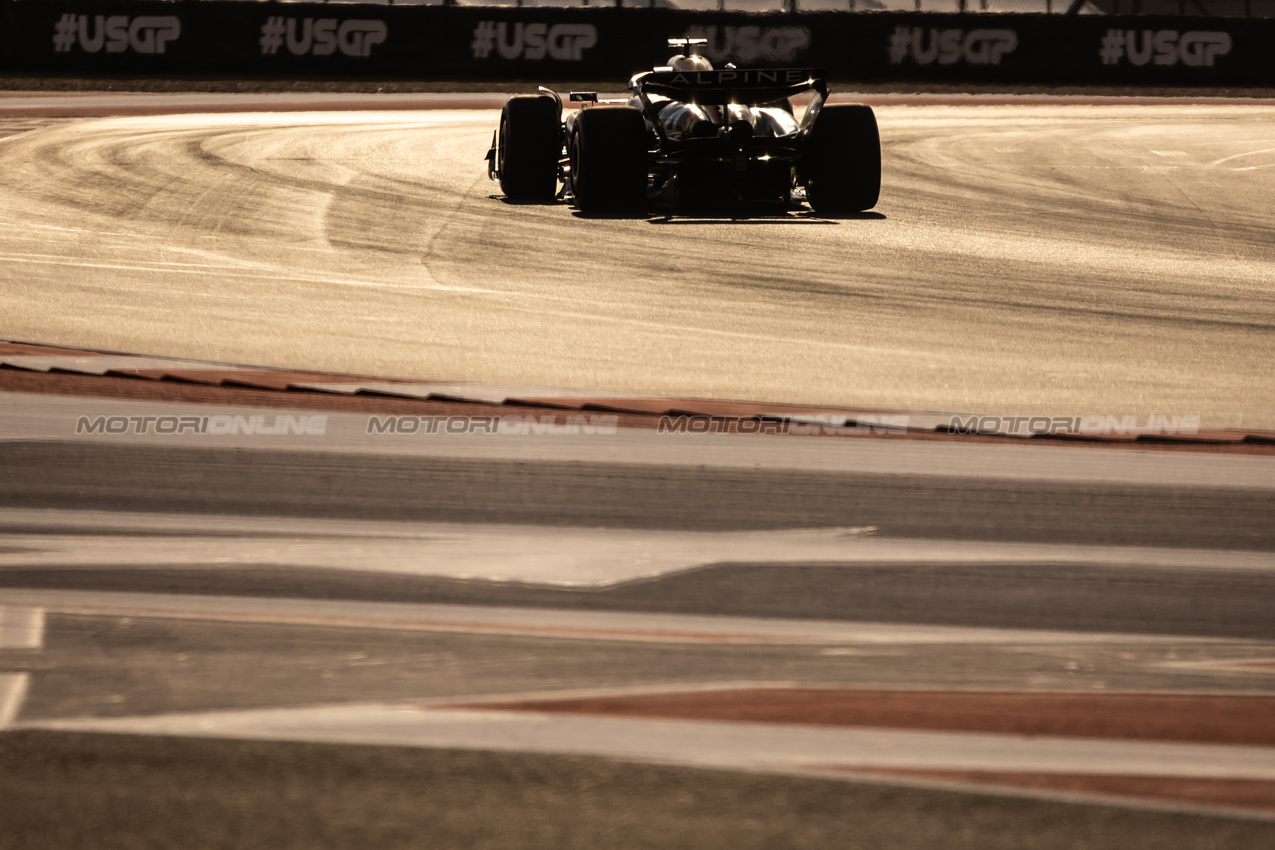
[[845, 171]]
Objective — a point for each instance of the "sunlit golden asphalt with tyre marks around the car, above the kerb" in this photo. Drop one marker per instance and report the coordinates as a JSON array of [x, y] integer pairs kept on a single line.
[[1054, 257]]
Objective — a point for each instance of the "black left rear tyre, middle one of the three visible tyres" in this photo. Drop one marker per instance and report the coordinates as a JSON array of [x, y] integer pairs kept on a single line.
[[609, 160]]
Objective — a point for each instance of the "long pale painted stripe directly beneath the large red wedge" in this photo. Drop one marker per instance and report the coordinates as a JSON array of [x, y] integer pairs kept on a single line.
[[738, 746]]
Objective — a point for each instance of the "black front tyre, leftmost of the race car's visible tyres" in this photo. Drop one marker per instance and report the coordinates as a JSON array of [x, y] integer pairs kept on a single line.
[[528, 146]]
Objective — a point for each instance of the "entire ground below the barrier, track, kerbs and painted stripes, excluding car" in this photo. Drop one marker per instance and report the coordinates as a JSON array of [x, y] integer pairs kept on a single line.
[[548, 635]]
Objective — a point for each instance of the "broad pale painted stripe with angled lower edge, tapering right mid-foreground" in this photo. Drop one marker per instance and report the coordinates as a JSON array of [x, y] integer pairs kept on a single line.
[[540, 555]]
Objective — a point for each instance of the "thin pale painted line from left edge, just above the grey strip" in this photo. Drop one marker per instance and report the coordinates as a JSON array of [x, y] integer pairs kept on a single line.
[[548, 623]]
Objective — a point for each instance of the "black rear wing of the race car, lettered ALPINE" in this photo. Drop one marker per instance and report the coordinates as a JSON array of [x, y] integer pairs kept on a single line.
[[732, 85]]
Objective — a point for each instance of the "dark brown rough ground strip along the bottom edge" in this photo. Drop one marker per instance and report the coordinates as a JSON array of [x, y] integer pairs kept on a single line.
[[191, 793]]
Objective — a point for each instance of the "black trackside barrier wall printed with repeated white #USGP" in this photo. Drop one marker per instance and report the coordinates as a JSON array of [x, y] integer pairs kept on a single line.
[[471, 44]]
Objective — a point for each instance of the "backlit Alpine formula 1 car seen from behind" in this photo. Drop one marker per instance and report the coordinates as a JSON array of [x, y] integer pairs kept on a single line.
[[692, 137]]
